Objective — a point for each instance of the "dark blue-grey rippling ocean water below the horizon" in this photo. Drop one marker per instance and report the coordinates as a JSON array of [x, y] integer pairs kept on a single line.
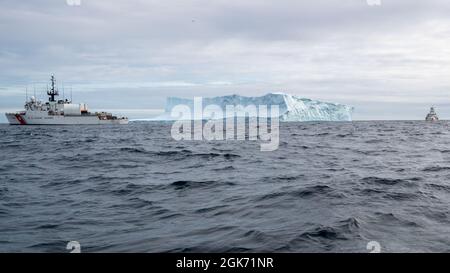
[[330, 187]]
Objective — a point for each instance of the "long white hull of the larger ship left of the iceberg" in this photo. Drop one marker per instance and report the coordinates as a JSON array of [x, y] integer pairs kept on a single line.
[[23, 119]]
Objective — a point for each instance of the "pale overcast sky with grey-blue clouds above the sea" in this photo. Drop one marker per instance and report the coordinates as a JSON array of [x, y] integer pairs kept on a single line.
[[390, 61]]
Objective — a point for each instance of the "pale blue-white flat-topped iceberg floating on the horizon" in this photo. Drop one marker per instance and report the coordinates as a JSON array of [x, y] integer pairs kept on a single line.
[[291, 108]]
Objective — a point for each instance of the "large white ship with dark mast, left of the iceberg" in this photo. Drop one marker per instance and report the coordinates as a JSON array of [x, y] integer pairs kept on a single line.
[[60, 112]]
